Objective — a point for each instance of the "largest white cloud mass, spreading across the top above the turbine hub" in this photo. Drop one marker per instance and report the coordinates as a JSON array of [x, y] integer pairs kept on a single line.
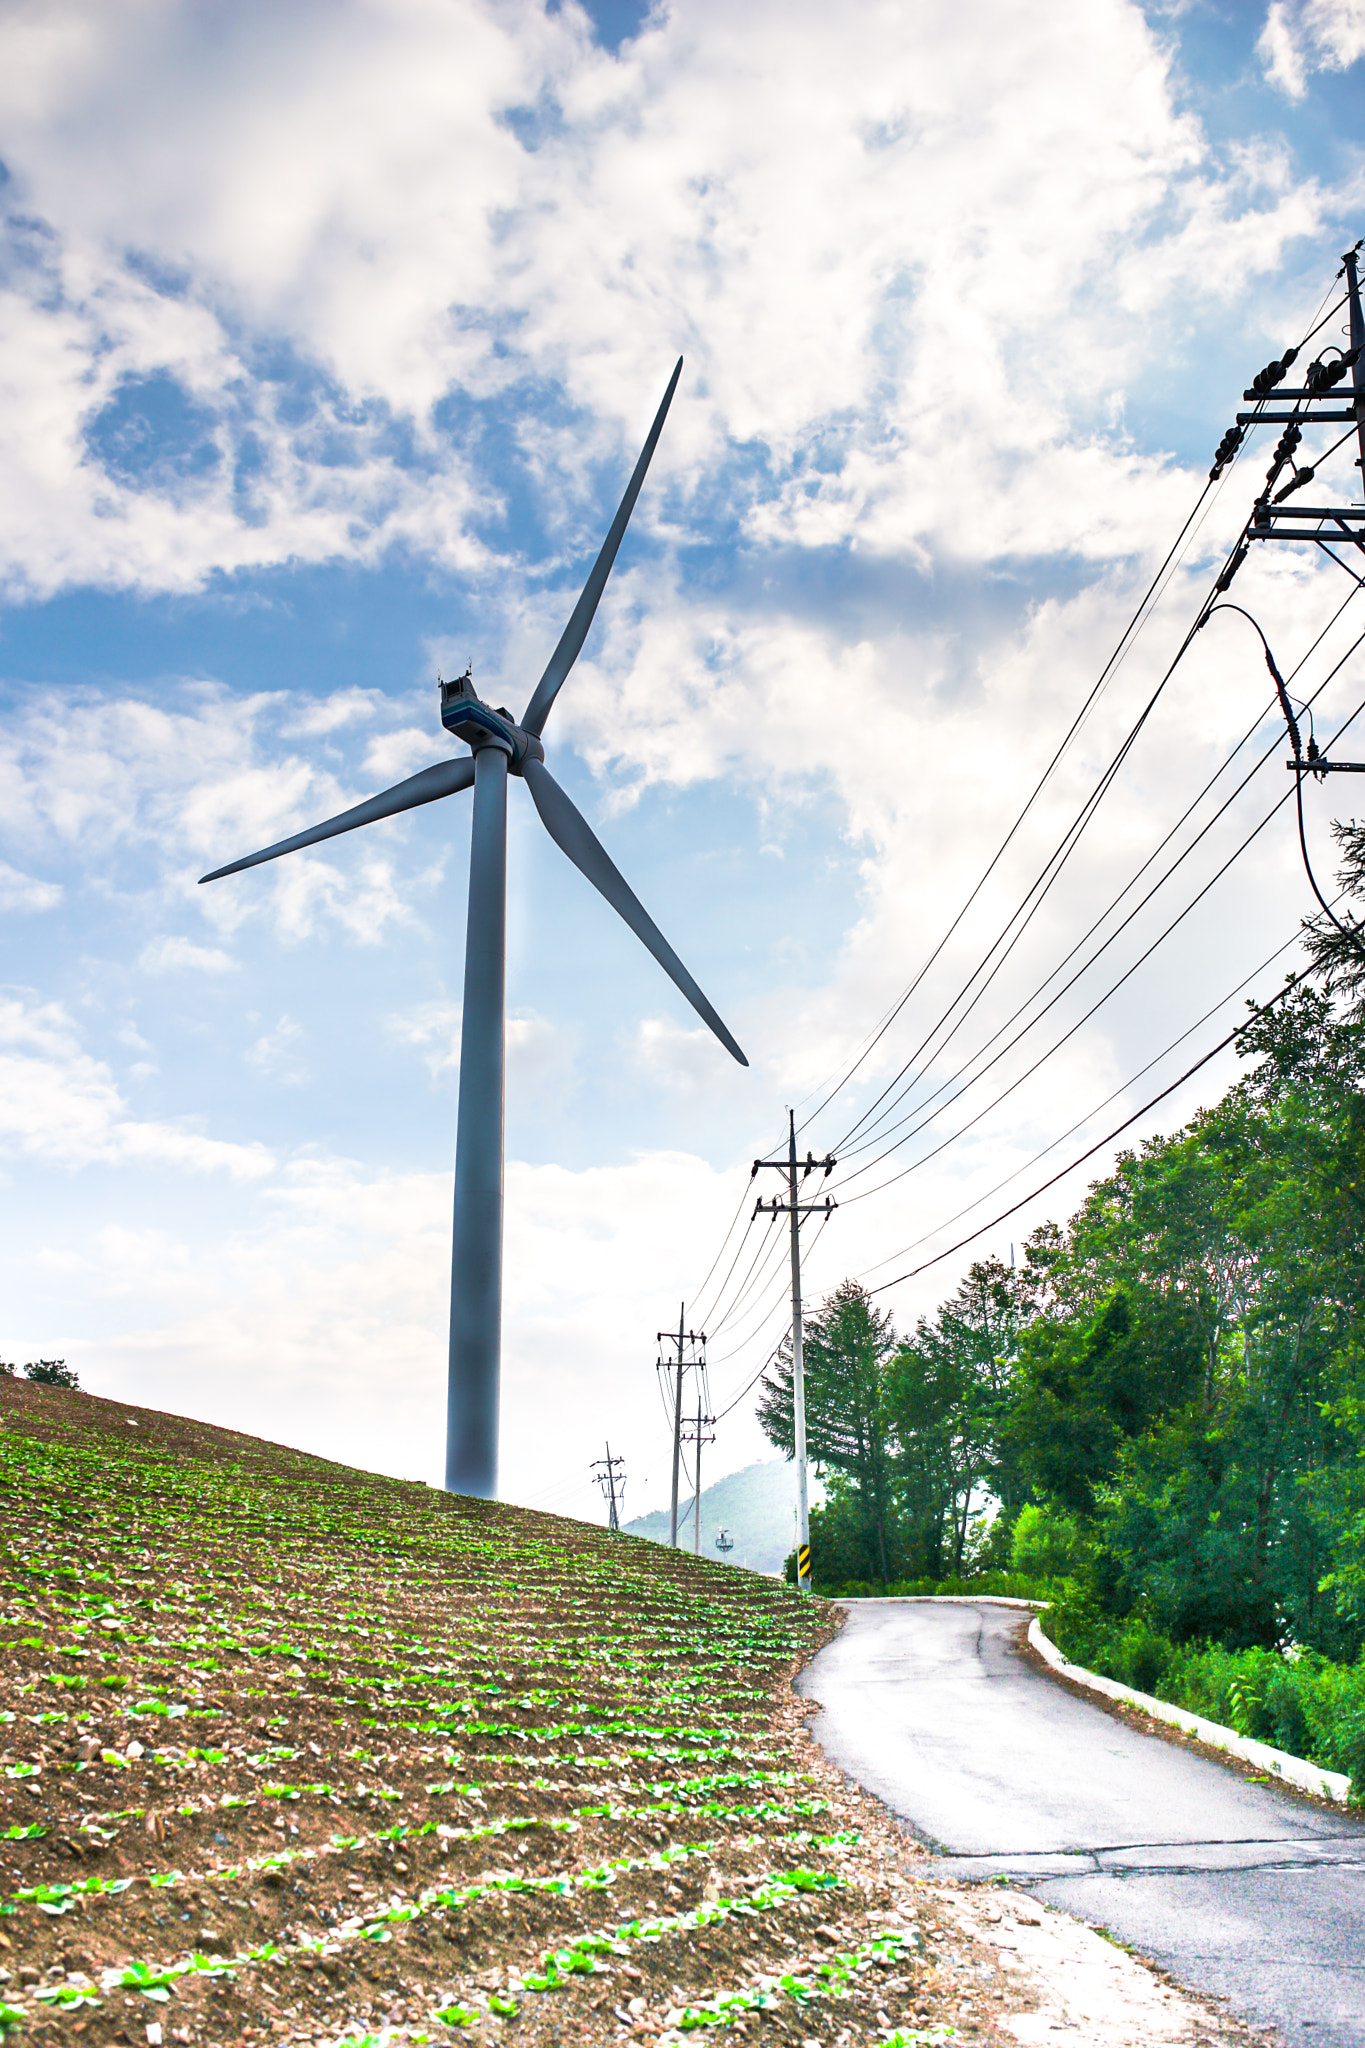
[[762, 189]]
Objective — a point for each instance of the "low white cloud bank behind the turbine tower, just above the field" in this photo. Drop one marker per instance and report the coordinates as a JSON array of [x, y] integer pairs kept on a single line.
[[322, 1314]]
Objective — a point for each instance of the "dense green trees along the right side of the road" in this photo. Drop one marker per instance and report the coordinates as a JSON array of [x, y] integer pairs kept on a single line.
[[1165, 1402]]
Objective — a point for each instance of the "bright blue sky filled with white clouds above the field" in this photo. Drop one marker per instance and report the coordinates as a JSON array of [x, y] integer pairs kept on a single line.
[[328, 339]]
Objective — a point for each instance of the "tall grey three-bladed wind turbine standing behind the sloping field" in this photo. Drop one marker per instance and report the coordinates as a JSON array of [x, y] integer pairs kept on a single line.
[[498, 746]]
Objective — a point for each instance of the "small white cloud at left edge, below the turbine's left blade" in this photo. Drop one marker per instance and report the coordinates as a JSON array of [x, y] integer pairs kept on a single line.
[[62, 1105]]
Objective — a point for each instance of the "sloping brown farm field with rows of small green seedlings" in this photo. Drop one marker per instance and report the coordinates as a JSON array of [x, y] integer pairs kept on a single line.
[[302, 1754]]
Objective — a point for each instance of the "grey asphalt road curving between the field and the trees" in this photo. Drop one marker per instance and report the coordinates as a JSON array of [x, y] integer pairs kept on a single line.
[[1239, 1889]]
